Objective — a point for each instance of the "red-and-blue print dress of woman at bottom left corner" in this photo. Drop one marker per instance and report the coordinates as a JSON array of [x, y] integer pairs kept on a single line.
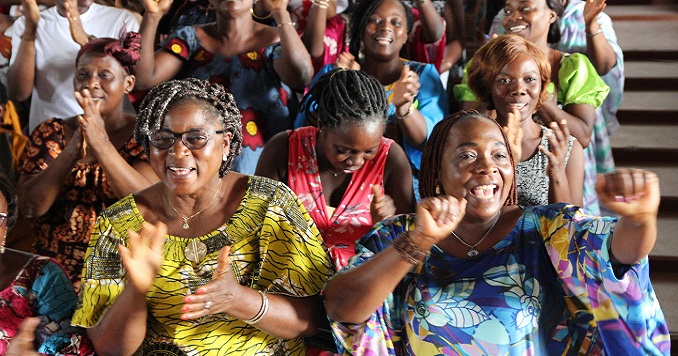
[[42, 290]]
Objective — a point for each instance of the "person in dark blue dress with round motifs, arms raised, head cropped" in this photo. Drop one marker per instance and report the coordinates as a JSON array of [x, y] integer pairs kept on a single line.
[[260, 64]]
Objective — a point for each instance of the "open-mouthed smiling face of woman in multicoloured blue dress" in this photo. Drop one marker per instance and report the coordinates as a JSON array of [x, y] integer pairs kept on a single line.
[[476, 165]]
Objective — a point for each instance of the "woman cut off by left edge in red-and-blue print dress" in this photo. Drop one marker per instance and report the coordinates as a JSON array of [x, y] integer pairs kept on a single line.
[[34, 286]]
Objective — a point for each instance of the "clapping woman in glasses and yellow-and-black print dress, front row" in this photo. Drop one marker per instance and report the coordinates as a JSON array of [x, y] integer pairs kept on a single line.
[[206, 254]]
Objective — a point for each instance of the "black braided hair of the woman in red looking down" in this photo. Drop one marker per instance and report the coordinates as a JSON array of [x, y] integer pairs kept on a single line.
[[342, 96]]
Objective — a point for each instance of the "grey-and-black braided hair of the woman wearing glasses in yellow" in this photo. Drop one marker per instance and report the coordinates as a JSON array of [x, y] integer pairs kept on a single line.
[[213, 98]]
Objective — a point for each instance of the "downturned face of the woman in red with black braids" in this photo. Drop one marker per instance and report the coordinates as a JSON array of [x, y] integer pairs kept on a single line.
[[348, 148]]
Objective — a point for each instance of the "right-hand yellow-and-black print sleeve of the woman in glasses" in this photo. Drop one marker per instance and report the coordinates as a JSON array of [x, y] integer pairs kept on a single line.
[[295, 260]]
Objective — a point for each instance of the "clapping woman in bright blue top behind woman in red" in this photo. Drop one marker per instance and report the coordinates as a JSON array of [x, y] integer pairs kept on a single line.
[[416, 96]]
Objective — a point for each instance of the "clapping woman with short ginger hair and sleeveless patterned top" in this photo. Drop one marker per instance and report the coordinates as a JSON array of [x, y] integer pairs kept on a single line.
[[511, 74]]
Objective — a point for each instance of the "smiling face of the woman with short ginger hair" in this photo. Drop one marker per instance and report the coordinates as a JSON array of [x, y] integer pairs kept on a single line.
[[517, 85]]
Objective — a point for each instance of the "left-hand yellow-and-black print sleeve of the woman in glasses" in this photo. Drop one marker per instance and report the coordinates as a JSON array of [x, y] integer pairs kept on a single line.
[[102, 275]]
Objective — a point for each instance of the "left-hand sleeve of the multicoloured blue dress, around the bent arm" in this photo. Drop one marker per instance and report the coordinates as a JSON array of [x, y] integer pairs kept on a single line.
[[380, 334]]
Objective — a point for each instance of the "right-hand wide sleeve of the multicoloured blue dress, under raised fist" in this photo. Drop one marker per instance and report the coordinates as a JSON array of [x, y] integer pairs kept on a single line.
[[623, 308]]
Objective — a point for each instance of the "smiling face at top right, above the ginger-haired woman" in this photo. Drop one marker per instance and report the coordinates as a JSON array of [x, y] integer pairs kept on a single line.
[[529, 19]]
